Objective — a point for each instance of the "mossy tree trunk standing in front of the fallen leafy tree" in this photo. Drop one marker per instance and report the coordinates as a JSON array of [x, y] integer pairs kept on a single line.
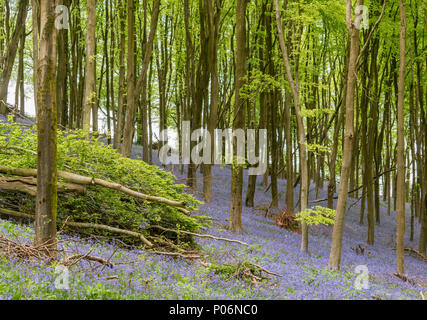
[[46, 201]]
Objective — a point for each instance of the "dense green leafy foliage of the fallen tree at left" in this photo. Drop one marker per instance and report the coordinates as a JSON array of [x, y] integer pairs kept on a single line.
[[92, 157]]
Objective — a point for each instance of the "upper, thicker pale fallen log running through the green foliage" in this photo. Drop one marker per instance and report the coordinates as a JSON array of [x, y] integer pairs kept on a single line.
[[83, 180]]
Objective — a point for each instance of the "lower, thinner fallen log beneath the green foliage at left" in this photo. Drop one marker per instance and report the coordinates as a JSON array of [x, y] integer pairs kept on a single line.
[[82, 225]]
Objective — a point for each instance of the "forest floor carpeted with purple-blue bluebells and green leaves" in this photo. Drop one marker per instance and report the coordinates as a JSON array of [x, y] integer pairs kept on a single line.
[[140, 275]]
